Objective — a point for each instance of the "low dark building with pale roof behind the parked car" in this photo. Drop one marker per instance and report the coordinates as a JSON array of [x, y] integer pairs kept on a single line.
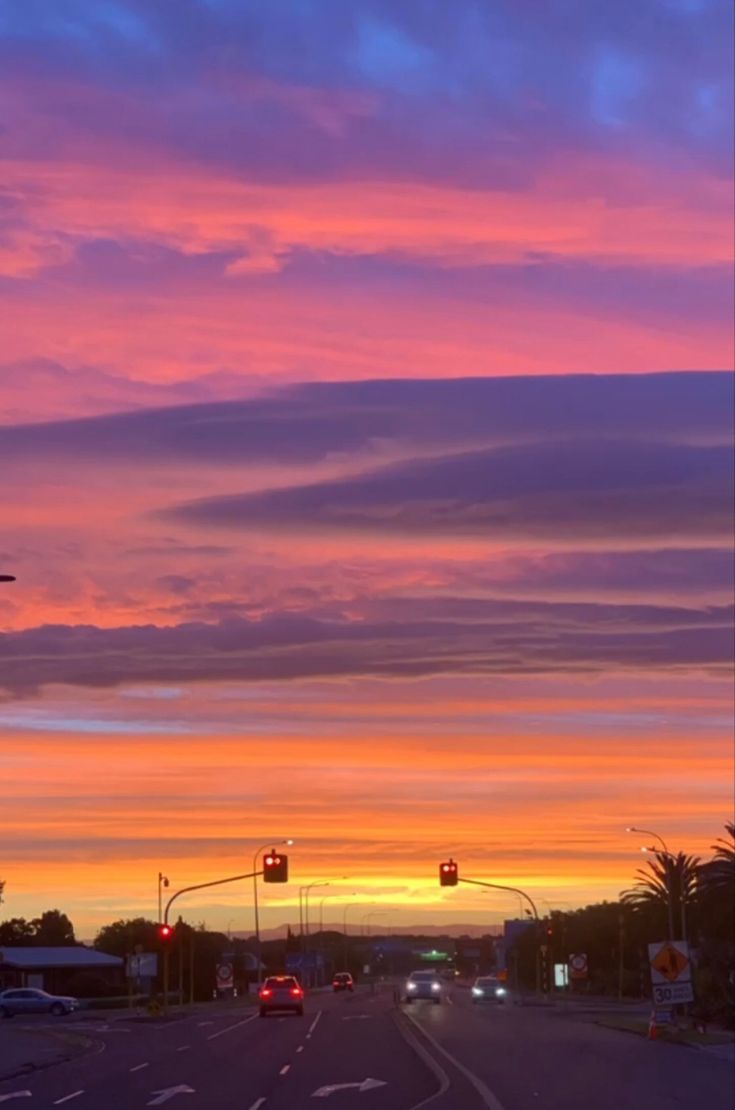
[[55, 970]]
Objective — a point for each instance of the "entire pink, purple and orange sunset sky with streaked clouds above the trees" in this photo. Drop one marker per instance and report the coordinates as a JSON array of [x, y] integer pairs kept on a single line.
[[367, 447]]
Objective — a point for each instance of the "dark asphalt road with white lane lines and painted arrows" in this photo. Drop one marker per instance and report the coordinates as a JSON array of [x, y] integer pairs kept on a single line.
[[360, 1052]]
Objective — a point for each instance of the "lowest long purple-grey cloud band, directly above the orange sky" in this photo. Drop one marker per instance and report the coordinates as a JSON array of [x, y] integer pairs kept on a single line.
[[404, 640]]
